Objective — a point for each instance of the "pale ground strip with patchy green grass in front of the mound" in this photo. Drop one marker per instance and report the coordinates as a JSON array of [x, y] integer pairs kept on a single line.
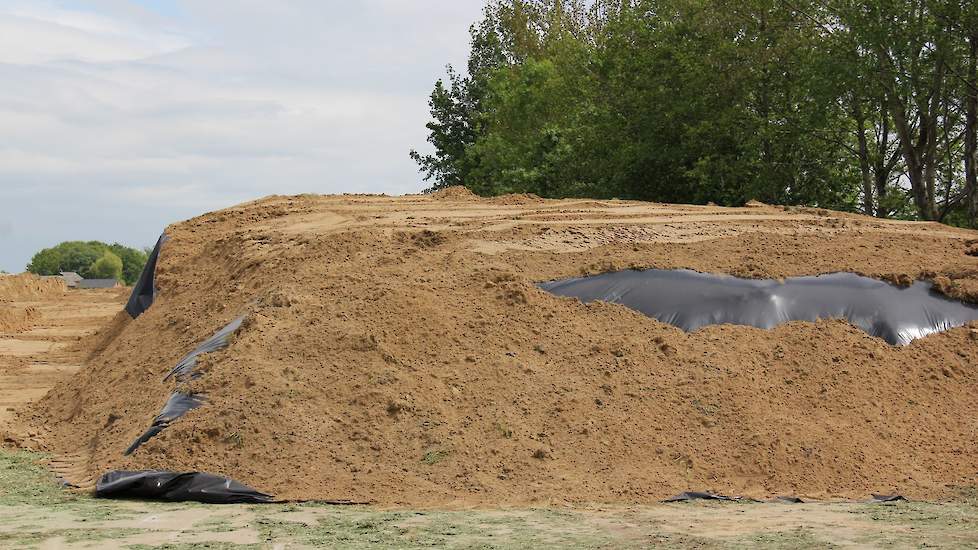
[[35, 512]]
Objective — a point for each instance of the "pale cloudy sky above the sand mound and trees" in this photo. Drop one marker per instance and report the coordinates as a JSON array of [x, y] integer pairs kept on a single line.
[[120, 117]]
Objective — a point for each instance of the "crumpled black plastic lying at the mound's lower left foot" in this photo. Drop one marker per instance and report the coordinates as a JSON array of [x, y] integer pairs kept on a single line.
[[172, 486]]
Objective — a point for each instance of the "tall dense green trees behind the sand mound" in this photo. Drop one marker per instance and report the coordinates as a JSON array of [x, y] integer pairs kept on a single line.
[[868, 106]]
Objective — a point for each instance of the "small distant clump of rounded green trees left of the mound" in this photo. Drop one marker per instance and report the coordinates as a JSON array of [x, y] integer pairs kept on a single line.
[[91, 260]]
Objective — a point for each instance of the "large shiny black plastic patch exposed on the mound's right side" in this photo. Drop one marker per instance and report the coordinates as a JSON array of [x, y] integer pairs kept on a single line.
[[690, 300]]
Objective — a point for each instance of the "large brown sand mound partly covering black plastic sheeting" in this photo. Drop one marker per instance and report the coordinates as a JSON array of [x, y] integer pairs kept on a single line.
[[397, 351]]
